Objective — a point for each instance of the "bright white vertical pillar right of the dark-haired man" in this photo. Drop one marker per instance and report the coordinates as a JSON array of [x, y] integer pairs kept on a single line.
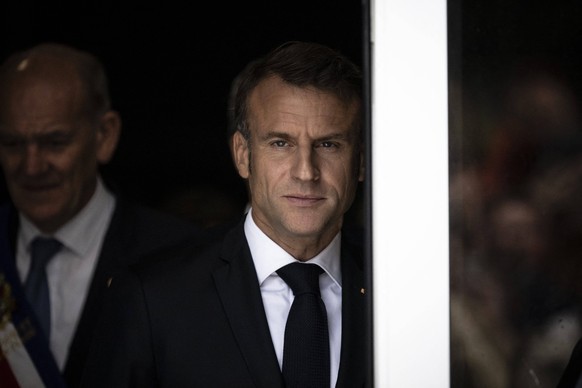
[[410, 193]]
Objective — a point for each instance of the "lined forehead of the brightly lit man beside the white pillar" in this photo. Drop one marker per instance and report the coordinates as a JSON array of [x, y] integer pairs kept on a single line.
[[275, 103]]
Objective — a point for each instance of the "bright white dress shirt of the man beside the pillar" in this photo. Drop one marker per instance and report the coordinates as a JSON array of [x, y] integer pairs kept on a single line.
[[277, 296]]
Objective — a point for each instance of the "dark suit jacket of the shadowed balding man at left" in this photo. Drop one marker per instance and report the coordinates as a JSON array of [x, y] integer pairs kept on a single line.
[[134, 231]]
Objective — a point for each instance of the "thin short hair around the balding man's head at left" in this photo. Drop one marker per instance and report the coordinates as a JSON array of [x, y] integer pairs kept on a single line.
[[89, 70]]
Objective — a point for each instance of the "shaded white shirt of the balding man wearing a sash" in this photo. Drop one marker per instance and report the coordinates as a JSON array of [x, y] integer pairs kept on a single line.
[[70, 271]]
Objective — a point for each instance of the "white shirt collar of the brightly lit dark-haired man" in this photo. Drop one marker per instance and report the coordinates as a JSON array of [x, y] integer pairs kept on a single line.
[[268, 257]]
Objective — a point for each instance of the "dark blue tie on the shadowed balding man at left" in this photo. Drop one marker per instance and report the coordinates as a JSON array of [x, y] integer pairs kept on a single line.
[[36, 286]]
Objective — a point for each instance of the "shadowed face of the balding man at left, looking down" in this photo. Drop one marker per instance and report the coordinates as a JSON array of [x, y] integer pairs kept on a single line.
[[48, 150]]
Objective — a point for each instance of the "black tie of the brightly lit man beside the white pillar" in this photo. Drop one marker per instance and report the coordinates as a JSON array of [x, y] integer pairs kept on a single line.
[[306, 350]]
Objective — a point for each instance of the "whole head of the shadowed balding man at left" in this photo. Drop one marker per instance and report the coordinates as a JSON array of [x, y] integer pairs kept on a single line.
[[56, 128]]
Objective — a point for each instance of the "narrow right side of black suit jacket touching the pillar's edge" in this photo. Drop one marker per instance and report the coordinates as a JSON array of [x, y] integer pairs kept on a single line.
[[354, 361]]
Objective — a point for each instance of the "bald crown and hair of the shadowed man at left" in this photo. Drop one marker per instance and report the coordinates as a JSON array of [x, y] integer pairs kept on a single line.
[[58, 66]]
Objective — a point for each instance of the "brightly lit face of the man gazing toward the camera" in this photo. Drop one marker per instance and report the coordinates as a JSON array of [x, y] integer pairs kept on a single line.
[[303, 162]]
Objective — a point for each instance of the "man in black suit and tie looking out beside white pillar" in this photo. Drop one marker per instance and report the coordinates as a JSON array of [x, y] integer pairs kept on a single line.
[[220, 316]]
